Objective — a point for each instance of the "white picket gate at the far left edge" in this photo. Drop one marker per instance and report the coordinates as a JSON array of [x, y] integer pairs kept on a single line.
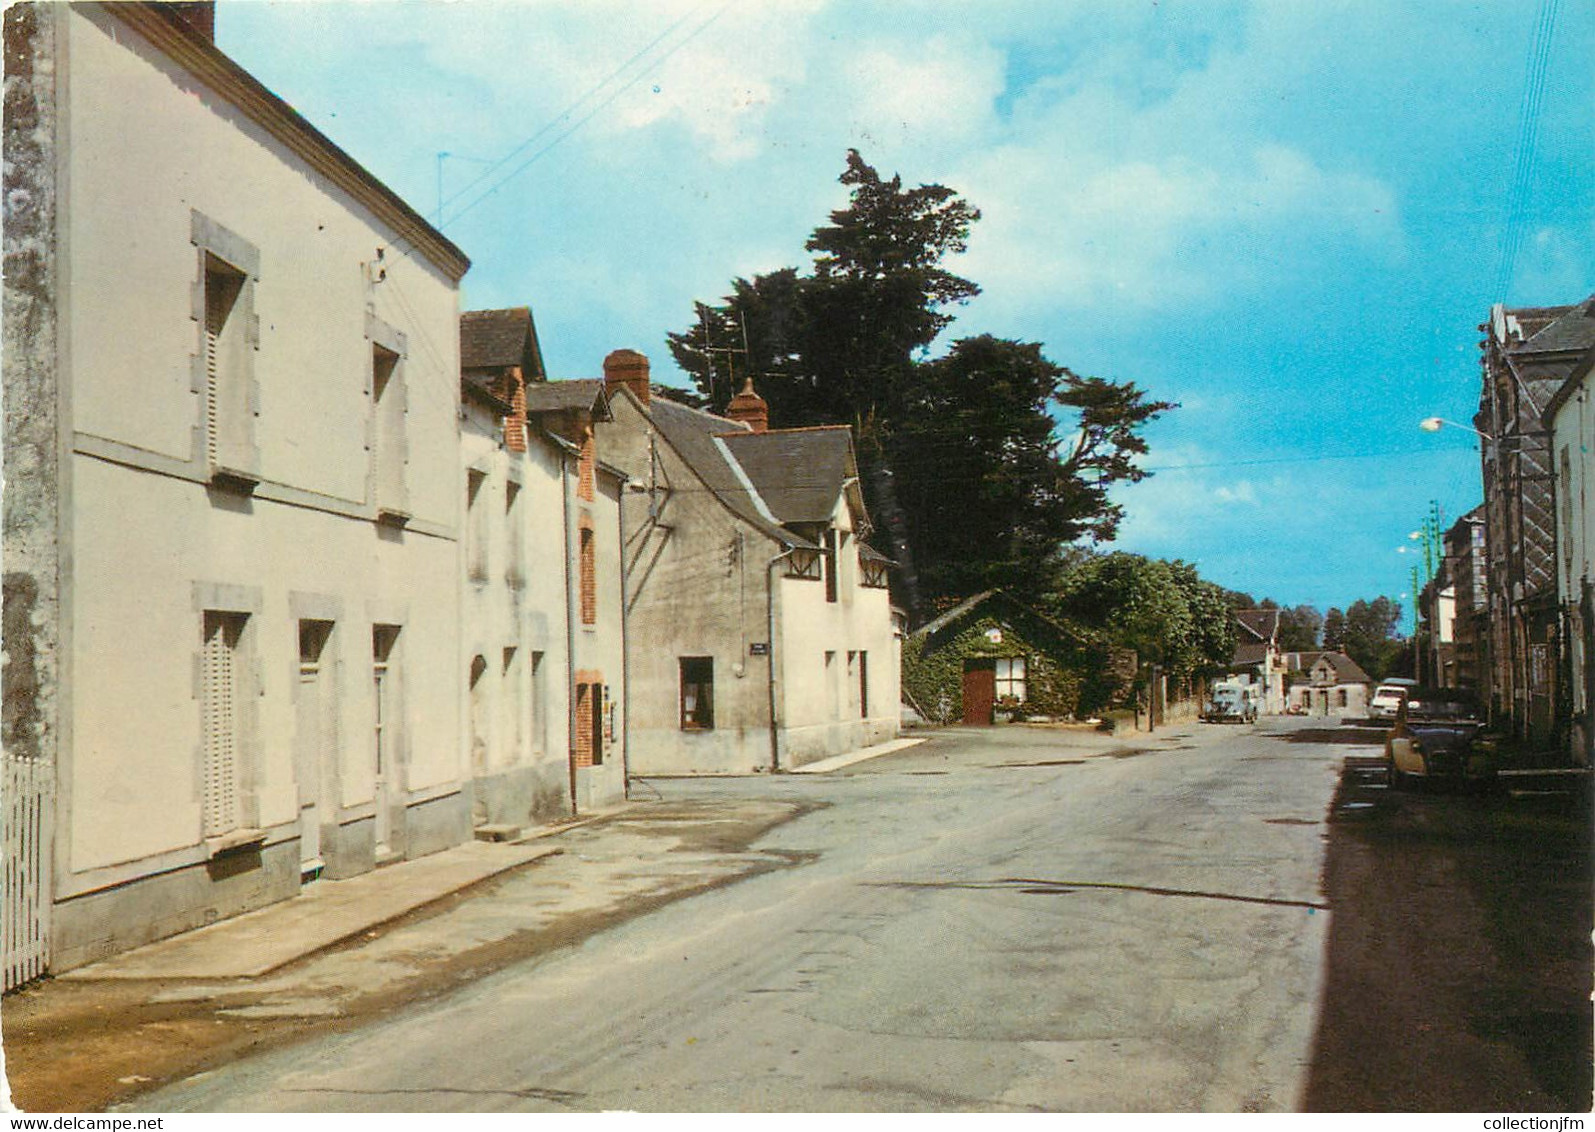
[[26, 793]]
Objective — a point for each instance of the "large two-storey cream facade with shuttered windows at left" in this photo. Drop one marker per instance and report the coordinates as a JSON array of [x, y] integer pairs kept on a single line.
[[258, 678]]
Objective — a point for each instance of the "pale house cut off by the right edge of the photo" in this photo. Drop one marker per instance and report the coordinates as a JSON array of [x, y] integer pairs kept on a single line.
[[1570, 419]]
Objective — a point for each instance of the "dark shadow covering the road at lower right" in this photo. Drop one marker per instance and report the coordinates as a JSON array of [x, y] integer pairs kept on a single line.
[[1459, 961]]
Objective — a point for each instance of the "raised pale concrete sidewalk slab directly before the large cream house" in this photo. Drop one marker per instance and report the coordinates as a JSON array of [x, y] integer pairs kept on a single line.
[[323, 916]]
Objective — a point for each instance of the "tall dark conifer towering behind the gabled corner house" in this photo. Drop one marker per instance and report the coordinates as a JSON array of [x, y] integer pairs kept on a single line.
[[961, 458]]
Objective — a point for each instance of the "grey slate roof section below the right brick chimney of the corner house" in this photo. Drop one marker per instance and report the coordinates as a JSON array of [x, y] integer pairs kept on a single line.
[[800, 474]]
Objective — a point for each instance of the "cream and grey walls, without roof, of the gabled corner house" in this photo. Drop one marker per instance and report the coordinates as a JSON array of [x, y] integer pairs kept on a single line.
[[703, 583]]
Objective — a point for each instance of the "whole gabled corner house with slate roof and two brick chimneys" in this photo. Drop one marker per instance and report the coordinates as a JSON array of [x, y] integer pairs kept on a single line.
[[760, 626]]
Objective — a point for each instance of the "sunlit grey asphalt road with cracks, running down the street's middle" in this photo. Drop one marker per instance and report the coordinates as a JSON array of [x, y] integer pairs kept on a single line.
[[994, 921]]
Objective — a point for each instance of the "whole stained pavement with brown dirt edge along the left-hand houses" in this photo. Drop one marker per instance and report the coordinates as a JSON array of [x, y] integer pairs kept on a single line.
[[352, 951]]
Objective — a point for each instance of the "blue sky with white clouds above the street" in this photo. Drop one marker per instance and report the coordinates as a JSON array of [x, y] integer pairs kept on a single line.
[[1285, 216]]
